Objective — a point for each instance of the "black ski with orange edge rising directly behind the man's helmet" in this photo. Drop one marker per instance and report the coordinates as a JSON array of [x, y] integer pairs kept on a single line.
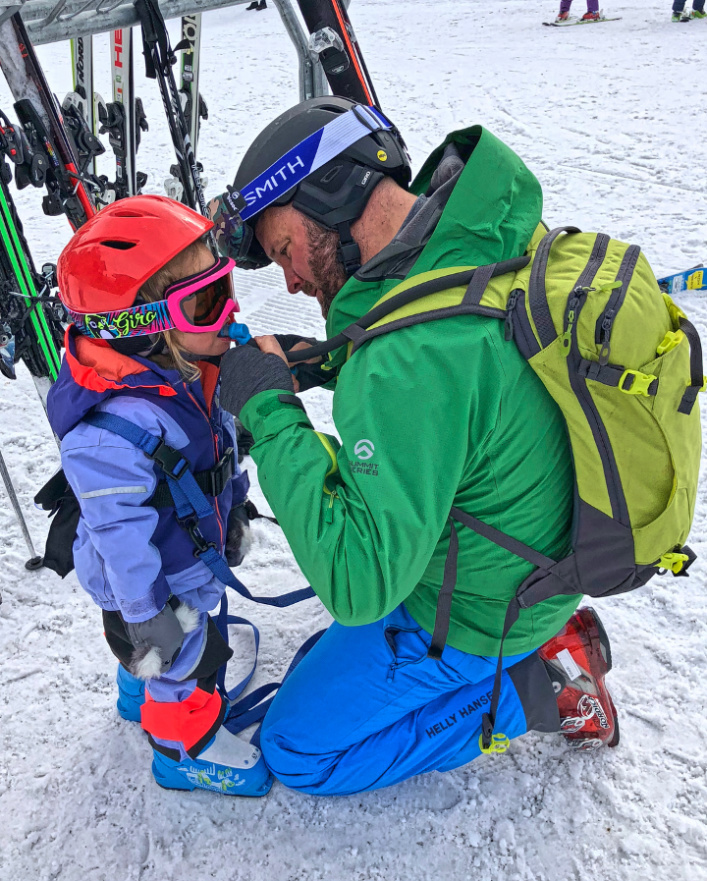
[[333, 39]]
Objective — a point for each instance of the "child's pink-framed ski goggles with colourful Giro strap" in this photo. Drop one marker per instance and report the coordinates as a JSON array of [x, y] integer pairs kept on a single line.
[[200, 303]]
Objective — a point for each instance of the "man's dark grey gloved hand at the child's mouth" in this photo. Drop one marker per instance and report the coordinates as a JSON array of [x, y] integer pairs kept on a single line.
[[247, 371]]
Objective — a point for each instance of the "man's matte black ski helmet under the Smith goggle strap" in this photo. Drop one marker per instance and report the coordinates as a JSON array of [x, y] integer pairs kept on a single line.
[[336, 194]]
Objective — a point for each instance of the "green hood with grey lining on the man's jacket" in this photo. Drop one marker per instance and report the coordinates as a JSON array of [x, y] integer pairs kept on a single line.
[[491, 213]]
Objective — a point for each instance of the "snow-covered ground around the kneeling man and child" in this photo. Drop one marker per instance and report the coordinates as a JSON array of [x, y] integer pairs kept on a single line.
[[611, 119]]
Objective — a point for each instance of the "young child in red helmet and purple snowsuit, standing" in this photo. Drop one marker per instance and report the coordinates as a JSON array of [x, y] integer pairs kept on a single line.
[[148, 298]]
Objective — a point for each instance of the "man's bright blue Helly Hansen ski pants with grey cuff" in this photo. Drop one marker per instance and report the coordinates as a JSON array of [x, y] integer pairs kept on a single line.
[[367, 708]]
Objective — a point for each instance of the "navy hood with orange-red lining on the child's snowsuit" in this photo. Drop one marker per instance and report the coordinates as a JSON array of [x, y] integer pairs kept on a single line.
[[91, 372]]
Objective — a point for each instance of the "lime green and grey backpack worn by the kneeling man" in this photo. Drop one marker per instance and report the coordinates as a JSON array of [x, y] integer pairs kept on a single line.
[[624, 365]]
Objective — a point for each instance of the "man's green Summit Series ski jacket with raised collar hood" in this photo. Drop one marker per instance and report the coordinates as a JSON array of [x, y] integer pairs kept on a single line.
[[430, 416]]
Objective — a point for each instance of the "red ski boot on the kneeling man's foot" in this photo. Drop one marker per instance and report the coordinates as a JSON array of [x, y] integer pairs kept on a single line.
[[577, 660]]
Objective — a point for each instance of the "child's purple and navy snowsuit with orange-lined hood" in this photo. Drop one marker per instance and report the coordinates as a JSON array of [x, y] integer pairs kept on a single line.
[[129, 556]]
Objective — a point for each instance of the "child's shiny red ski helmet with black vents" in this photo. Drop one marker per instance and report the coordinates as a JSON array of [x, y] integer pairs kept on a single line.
[[109, 258]]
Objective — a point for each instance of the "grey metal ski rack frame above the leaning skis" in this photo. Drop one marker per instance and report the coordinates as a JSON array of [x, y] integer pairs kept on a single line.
[[51, 21]]
